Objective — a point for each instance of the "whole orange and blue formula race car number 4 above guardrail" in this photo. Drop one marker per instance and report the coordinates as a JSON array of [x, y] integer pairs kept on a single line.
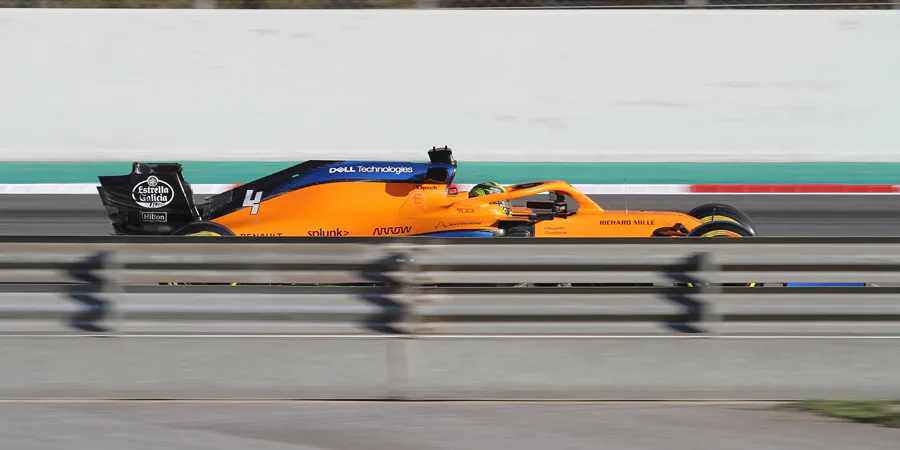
[[377, 198]]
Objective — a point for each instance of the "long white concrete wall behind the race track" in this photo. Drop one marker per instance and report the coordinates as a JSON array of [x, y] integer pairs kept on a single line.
[[494, 85]]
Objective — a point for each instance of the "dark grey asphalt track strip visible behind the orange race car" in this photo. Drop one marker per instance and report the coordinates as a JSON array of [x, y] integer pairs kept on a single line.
[[774, 215]]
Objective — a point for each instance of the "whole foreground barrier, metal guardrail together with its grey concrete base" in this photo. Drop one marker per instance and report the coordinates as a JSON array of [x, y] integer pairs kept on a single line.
[[449, 319]]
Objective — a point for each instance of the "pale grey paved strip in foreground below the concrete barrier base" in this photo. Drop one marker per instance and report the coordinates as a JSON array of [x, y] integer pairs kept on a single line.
[[427, 426]]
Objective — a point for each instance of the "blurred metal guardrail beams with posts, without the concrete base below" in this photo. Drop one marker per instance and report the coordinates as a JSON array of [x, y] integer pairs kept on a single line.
[[419, 287]]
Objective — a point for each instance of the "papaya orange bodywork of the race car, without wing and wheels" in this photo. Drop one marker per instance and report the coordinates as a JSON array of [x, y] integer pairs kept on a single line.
[[404, 209]]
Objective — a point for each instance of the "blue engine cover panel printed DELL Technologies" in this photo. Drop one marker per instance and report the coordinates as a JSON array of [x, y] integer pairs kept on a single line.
[[379, 171]]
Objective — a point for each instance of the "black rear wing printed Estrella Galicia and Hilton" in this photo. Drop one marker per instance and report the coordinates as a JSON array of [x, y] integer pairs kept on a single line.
[[154, 199]]
